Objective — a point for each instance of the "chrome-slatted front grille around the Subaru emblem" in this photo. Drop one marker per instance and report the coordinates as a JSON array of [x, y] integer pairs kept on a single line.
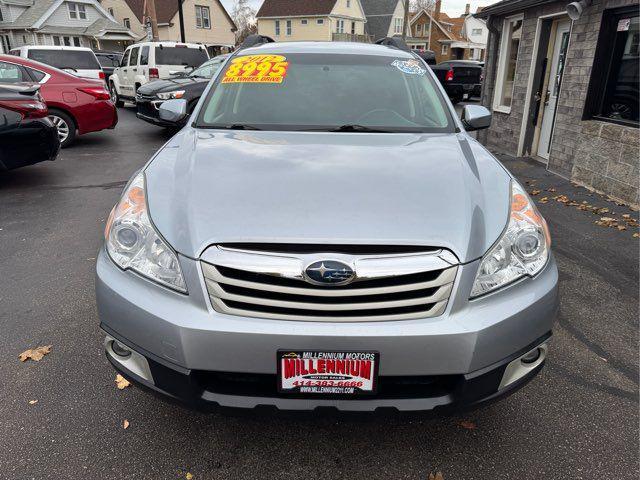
[[272, 286]]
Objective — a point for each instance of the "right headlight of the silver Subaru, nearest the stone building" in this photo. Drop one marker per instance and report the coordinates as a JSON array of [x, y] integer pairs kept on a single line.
[[523, 248]]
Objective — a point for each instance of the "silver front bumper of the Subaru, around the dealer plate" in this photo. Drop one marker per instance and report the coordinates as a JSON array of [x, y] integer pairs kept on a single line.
[[202, 357]]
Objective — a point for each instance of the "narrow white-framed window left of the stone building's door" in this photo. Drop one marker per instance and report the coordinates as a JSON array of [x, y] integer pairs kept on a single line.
[[505, 79]]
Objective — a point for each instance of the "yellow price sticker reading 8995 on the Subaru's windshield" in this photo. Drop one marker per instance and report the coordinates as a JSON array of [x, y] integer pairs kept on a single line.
[[257, 69]]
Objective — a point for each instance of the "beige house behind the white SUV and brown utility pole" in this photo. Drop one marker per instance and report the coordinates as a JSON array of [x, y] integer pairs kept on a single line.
[[205, 21]]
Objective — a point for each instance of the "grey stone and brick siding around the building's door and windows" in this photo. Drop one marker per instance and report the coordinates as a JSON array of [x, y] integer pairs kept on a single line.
[[600, 155]]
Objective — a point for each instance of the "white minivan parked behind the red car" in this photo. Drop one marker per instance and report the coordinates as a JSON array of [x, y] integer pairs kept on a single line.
[[79, 61]]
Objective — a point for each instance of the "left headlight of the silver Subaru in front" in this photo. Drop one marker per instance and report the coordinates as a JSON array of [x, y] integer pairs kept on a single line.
[[132, 241]]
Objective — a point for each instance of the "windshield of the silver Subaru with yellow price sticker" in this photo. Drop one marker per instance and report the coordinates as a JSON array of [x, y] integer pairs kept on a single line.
[[325, 92]]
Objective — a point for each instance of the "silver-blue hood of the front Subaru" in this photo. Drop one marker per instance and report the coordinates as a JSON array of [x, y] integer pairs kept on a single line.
[[438, 190]]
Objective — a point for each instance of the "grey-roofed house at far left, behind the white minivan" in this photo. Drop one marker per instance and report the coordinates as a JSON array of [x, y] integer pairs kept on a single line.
[[81, 23]]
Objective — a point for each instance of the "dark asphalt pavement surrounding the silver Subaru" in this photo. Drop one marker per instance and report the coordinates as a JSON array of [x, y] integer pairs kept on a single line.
[[577, 419]]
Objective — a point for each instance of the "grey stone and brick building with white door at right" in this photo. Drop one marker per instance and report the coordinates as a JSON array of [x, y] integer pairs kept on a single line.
[[564, 90]]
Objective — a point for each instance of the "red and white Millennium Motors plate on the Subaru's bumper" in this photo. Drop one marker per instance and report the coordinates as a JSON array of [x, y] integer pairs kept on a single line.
[[327, 372]]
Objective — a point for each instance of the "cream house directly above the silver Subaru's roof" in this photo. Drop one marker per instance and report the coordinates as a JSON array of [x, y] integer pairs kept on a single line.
[[323, 20]]
